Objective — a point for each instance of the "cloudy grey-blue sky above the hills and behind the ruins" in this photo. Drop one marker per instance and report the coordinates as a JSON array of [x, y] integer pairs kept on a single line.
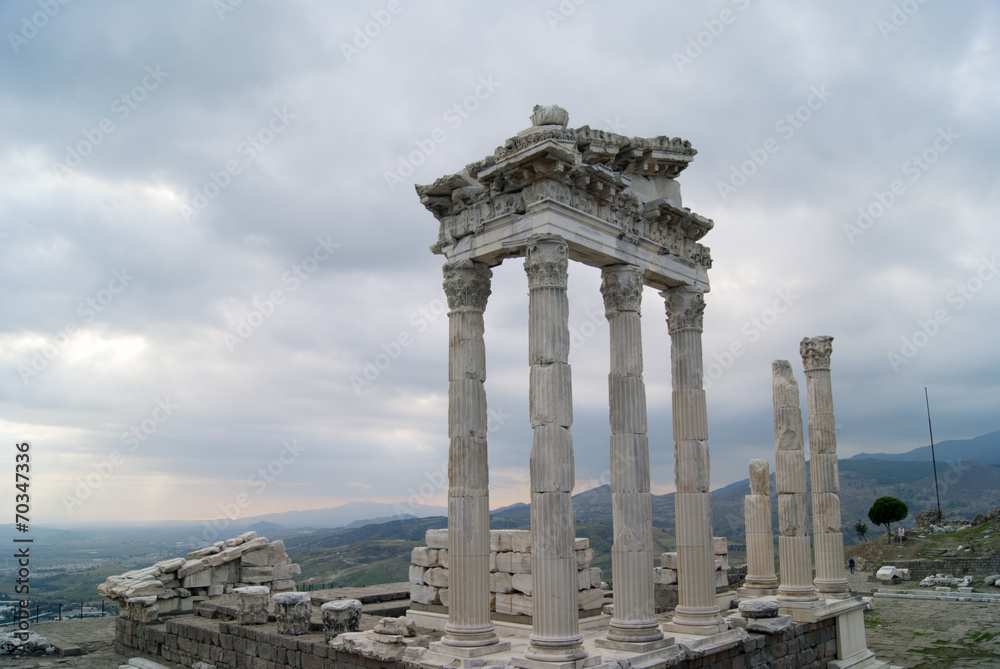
[[218, 296]]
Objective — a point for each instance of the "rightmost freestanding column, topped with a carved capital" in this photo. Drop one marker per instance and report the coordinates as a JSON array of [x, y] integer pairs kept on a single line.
[[830, 581]]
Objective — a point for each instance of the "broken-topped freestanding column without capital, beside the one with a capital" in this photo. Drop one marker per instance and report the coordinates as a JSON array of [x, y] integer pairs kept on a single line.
[[794, 550]]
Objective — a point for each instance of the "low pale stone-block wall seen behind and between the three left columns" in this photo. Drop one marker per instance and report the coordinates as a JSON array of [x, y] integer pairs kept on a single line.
[[510, 573]]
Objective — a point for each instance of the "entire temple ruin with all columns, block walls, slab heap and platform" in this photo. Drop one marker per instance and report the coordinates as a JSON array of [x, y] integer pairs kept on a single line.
[[531, 599]]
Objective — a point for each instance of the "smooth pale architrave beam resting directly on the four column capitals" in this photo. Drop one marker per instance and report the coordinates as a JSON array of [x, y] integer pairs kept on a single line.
[[592, 241]]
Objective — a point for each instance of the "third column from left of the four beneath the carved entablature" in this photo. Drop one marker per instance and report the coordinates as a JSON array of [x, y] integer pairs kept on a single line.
[[634, 620]]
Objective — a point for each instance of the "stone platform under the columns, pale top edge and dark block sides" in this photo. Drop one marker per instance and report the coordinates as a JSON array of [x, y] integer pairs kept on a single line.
[[188, 639]]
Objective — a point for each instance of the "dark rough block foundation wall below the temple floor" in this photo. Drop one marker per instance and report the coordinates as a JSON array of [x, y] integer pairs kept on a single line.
[[226, 645]]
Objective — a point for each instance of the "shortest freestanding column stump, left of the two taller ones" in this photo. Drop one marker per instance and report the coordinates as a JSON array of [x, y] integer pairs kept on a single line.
[[761, 579]]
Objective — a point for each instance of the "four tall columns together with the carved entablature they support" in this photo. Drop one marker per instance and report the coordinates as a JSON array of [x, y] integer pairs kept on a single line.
[[550, 195]]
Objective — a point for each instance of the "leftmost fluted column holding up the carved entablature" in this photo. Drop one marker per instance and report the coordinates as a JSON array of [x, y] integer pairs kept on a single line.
[[467, 286]]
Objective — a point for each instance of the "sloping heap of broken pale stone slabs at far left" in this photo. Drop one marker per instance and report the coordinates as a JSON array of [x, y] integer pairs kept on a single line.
[[175, 585]]
